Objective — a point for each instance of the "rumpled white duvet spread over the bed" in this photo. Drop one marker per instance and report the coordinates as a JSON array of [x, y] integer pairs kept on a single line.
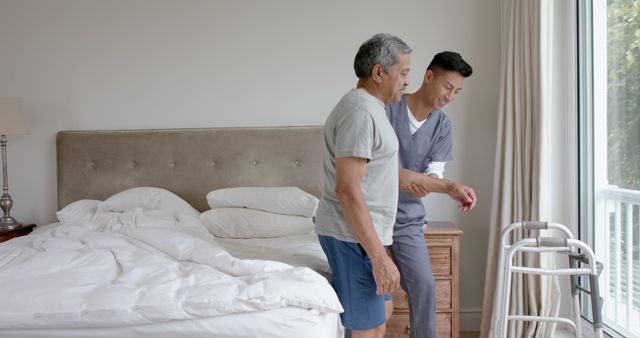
[[141, 266]]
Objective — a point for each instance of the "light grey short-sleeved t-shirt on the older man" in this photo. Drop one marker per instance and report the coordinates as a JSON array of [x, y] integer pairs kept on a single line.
[[358, 127]]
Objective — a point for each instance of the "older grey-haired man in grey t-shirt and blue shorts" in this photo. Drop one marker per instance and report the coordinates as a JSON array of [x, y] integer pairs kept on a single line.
[[356, 214]]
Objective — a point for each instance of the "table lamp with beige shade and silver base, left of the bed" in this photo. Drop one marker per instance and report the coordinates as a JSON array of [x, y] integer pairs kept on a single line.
[[12, 122]]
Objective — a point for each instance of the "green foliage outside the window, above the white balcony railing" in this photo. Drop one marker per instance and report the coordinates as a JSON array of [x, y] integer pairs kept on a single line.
[[623, 120]]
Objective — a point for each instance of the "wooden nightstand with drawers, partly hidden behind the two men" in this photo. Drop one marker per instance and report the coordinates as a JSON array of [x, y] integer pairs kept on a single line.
[[443, 240]]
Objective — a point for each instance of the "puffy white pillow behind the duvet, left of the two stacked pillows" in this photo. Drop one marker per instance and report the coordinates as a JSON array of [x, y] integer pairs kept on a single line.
[[147, 198]]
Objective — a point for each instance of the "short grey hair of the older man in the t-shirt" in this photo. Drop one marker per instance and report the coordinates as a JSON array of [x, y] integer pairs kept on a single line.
[[382, 49]]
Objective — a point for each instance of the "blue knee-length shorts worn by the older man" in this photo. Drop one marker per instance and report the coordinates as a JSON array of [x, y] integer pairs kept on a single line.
[[352, 278]]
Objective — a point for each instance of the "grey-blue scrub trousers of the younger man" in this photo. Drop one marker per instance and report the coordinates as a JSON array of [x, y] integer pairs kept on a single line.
[[411, 256]]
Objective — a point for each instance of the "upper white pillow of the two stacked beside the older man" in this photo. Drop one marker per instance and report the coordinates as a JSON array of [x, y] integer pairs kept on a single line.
[[280, 200]]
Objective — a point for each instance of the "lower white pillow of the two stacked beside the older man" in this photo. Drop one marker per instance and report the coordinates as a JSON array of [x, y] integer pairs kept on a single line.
[[251, 223]]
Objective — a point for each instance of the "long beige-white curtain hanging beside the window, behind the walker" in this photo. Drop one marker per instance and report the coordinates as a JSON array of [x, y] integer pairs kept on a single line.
[[521, 175]]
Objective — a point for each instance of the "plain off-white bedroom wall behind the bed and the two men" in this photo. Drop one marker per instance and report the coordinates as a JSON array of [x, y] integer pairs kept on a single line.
[[83, 64]]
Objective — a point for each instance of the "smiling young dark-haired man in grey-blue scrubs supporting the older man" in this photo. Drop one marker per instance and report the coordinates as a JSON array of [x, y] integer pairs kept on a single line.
[[424, 136]]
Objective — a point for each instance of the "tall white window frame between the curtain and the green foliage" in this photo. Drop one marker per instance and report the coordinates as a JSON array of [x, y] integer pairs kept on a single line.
[[592, 67]]
